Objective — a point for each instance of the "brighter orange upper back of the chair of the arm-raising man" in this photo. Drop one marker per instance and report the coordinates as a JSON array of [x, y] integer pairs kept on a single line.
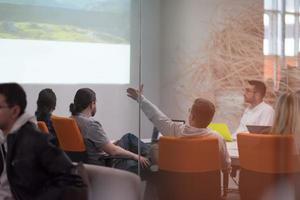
[[189, 154]]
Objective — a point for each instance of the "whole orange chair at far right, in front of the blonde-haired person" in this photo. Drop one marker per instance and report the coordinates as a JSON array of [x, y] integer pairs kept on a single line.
[[269, 167]]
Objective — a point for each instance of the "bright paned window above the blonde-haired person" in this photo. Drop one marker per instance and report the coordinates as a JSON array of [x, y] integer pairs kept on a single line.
[[281, 39]]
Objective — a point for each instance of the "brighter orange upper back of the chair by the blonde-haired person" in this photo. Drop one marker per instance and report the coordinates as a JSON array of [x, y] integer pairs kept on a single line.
[[268, 153]]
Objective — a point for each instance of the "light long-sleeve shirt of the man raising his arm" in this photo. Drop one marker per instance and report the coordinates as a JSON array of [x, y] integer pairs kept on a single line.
[[169, 128]]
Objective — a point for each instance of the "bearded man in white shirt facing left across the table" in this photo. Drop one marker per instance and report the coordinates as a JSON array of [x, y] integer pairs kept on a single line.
[[258, 112]]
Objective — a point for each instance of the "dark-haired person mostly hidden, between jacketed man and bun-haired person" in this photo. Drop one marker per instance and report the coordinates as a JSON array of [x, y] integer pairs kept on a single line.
[[46, 103]]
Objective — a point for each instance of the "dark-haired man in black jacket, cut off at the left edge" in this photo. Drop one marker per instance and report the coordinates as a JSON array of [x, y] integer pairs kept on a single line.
[[29, 164]]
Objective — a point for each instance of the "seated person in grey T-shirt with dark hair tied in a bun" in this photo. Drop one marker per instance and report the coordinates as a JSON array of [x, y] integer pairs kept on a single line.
[[96, 140]]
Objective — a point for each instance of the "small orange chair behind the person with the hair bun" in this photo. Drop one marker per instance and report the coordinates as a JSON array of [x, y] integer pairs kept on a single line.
[[70, 138]]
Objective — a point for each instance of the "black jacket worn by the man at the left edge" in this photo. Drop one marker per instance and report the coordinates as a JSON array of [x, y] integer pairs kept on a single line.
[[33, 162]]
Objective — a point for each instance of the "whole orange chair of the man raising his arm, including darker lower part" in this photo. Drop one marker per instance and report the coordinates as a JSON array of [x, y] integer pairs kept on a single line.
[[189, 168]]
